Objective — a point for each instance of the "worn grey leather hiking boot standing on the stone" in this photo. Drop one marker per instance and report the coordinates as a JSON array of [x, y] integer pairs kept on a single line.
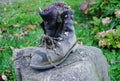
[[59, 38]]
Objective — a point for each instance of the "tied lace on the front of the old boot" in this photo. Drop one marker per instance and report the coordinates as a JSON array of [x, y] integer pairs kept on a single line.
[[50, 43]]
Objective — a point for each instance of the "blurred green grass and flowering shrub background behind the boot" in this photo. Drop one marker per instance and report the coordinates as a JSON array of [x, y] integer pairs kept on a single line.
[[97, 23]]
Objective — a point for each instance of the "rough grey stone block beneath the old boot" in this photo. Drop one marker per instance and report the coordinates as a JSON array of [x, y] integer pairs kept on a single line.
[[85, 64]]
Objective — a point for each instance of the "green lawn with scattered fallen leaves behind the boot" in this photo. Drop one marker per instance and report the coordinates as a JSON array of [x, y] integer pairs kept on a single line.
[[19, 27]]
